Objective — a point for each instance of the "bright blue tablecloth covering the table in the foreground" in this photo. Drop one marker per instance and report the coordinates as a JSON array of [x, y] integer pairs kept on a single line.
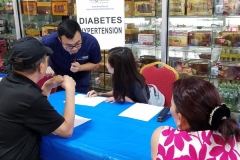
[[107, 136]]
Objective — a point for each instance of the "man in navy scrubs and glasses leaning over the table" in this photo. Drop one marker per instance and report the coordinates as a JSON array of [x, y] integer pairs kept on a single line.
[[75, 53]]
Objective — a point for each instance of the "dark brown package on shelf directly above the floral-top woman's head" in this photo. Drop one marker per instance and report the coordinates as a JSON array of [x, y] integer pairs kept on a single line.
[[199, 67]]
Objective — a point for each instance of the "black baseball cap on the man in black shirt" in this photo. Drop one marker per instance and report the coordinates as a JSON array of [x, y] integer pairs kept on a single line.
[[29, 50]]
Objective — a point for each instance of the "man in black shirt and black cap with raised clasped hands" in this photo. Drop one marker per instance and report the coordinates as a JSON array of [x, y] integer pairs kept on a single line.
[[25, 113]]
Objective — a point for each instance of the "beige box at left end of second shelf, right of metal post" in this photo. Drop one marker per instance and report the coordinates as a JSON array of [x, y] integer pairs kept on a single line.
[[178, 38]]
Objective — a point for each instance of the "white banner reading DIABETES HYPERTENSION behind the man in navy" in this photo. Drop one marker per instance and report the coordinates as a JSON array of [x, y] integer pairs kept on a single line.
[[104, 19]]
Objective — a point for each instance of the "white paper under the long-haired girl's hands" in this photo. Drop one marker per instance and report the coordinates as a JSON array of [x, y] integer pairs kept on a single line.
[[88, 101]]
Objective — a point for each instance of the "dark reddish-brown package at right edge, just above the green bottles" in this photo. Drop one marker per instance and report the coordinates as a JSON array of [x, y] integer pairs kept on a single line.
[[229, 70]]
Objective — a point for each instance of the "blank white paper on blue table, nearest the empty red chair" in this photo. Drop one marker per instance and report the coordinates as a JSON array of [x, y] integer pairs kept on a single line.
[[141, 111]]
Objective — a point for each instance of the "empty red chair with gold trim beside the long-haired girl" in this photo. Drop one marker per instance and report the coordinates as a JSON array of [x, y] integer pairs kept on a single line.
[[162, 76]]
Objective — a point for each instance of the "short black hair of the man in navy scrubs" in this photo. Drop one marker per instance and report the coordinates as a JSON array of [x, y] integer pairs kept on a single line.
[[68, 28]]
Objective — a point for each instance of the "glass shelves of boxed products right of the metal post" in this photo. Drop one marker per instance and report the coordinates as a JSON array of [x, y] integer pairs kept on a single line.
[[204, 41]]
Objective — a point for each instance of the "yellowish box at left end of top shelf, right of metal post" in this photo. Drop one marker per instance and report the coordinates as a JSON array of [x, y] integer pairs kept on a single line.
[[177, 7]]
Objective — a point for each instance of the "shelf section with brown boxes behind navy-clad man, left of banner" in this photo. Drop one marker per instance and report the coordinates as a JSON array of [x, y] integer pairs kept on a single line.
[[40, 17]]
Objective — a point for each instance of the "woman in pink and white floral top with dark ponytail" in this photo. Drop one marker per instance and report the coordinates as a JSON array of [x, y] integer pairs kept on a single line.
[[205, 131]]
